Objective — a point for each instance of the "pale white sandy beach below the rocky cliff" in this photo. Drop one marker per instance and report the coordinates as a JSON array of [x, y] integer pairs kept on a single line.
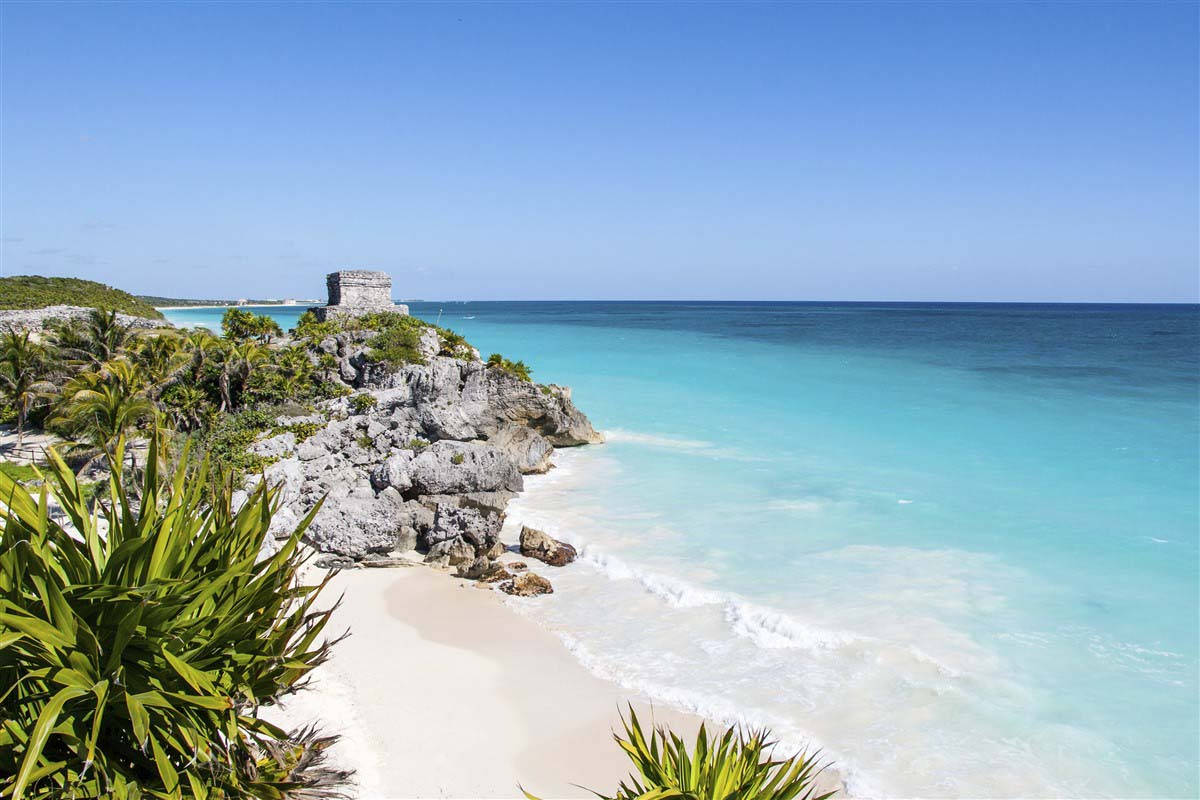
[[443, 693]]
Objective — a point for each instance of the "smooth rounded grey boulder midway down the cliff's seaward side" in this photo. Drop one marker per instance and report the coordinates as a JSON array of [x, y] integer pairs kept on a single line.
[[460, 467]]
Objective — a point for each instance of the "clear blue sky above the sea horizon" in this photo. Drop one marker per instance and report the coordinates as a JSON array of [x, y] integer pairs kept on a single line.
[[941, 152]]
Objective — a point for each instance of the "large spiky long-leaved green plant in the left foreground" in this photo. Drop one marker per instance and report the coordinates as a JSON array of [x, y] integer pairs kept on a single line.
[[139, 641]]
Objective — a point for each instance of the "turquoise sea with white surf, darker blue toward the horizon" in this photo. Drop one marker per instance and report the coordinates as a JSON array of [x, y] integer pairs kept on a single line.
[[955, 545]]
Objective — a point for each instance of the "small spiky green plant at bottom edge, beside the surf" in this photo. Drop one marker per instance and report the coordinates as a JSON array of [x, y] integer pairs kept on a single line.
[[740, 766]]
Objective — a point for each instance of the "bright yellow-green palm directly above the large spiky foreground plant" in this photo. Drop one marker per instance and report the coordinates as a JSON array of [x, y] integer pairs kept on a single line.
[[99, 408]]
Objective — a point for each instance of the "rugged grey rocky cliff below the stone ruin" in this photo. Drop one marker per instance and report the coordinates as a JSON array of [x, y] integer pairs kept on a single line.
[[429, 466]]
